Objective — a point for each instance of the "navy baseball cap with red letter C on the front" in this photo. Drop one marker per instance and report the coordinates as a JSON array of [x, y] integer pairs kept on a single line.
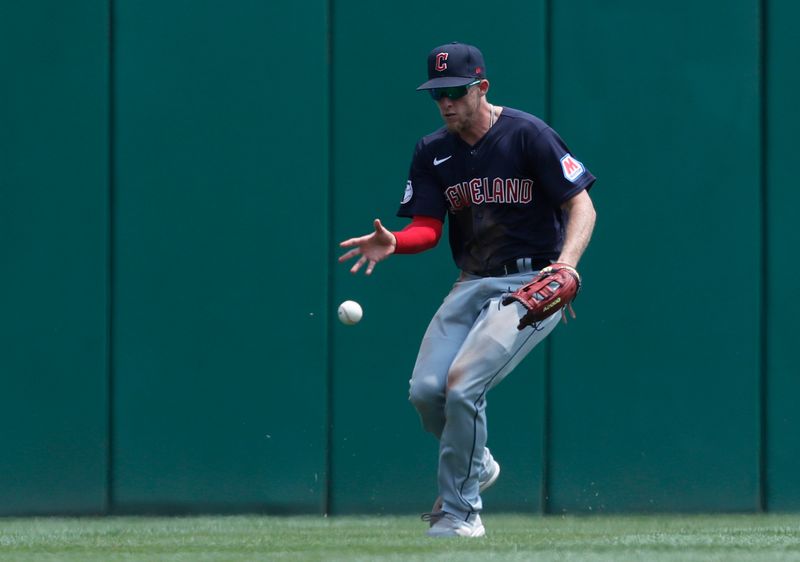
[[454, 64]]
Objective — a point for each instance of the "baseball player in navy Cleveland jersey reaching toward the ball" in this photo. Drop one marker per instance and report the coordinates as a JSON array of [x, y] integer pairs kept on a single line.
[[517, 202]]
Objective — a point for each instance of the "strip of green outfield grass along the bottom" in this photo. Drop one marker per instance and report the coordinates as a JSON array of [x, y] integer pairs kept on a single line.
[[652, 538]]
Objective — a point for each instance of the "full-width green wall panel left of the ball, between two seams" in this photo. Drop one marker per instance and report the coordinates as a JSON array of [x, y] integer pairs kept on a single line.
[[221, 221]]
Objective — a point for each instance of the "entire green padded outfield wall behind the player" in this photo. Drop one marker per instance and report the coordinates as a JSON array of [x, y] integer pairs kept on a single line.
[[175, 177]]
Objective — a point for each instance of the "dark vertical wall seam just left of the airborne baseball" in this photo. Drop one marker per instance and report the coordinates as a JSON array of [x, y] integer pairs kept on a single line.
[[327, 495]]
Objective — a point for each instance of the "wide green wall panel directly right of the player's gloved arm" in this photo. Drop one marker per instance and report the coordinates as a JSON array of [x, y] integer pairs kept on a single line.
[[655, 387]]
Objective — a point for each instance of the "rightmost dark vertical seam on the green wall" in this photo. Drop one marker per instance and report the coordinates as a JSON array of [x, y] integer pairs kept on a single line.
[[764, 191]]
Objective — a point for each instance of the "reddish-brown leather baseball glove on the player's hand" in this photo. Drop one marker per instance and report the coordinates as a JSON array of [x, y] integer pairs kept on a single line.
[[553, 289]]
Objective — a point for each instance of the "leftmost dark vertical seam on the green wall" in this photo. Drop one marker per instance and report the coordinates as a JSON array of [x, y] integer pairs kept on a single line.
[[110, 267]]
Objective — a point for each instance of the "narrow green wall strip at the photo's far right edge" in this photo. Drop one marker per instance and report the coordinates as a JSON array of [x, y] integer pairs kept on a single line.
[[783, 418]]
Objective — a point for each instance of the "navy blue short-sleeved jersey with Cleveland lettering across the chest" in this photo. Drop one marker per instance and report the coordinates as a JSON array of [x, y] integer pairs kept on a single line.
[[502, 195]]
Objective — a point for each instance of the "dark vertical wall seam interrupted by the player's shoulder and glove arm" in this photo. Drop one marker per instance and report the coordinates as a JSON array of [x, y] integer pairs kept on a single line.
[[544, 493]]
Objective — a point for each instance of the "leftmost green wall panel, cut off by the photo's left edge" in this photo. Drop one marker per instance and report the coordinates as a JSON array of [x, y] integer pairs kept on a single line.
[[53, 257]]
